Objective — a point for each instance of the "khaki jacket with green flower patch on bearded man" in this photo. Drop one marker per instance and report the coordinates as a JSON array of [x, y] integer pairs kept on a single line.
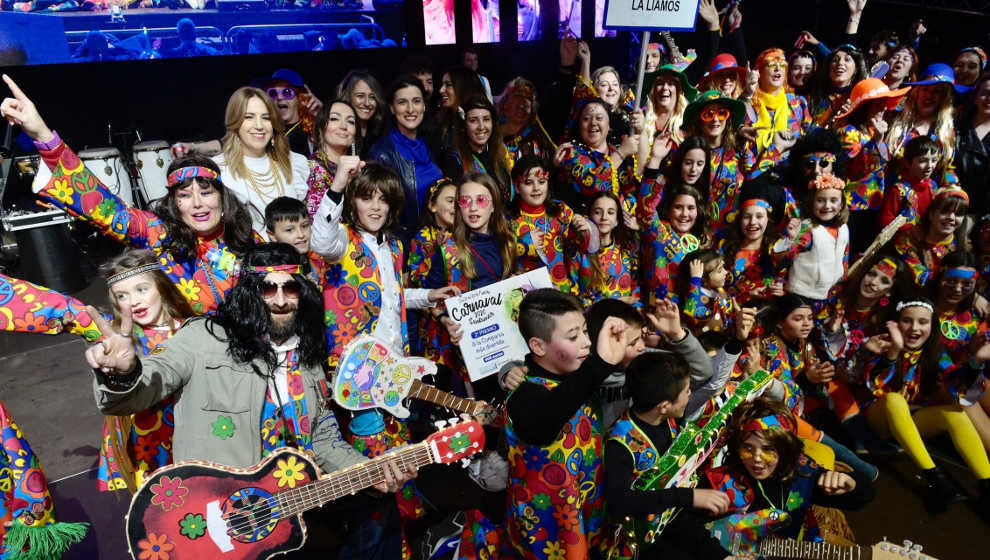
[[219, 401]]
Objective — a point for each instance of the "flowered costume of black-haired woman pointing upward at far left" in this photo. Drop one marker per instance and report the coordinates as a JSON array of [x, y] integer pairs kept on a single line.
[[203, 281]]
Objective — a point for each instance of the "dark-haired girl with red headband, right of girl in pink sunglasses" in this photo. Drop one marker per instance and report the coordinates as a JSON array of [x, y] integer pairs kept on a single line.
[[546, 229]]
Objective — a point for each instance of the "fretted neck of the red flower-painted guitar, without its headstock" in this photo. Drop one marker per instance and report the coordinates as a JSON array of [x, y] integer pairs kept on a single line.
[[352, 480]]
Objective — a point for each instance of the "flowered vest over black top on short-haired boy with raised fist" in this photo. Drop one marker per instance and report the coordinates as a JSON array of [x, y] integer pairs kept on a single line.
[[556, 505]]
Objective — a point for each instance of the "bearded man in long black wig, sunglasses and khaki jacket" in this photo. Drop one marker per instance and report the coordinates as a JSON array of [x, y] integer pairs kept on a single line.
[[247, 381]]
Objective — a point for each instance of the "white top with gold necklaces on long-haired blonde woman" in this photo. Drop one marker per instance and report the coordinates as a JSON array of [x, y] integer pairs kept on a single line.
[[257, 199]]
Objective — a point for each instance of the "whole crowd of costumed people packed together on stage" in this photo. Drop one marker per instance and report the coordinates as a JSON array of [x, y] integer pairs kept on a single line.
[[816, 215]]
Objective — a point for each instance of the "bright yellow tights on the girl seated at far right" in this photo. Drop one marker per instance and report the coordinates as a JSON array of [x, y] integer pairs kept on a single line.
[[891, 416]]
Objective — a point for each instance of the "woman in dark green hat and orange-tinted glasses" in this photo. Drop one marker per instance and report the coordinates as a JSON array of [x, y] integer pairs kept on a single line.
[[733, 160]]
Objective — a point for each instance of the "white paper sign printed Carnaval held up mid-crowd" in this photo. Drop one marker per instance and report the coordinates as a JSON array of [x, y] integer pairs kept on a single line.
[[488, 318]]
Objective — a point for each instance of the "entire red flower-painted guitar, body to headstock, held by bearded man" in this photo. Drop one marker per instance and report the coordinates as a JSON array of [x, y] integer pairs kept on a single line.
[[195, 510]]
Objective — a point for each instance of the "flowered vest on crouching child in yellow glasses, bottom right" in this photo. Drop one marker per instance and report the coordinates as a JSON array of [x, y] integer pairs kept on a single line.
[[792, 518]]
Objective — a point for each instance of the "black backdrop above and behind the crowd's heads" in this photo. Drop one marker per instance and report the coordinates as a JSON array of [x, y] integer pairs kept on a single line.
[[184, 99]]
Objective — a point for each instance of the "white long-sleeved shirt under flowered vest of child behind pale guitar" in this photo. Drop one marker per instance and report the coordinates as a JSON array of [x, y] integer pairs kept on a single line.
[[330, 240]]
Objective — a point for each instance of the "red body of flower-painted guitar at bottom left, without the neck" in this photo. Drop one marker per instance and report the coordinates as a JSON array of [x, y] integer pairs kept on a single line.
[[180, 510]]
